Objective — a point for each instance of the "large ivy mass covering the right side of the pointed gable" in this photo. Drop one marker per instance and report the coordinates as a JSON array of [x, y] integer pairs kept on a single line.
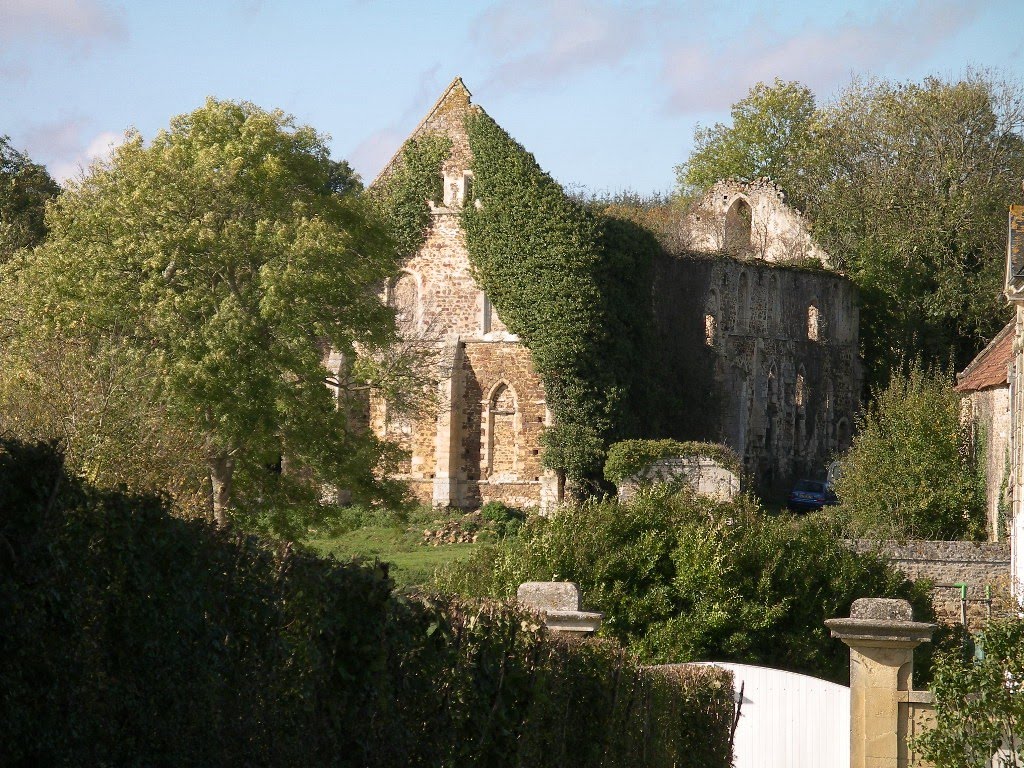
[[574, 286]]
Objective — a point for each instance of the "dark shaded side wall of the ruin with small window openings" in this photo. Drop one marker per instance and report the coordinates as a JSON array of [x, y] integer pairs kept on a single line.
[[761, 358]]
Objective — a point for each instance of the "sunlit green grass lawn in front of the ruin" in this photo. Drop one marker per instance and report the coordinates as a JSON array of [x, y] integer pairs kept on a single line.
[[412, 563]]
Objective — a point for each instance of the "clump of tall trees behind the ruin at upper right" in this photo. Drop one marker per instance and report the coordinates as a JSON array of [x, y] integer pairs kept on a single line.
[[907, 186]]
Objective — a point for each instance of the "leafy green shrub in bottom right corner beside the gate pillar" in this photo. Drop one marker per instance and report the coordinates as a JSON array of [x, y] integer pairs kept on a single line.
[[978, 703]]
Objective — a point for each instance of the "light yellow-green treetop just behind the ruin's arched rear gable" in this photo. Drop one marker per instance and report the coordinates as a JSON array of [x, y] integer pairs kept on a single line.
[[769, 136]]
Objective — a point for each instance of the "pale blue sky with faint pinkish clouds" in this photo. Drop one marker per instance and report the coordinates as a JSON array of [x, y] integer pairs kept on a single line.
[[606, 94]]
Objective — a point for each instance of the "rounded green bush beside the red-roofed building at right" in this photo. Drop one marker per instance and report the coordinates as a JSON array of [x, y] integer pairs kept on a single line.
[[910, 474]]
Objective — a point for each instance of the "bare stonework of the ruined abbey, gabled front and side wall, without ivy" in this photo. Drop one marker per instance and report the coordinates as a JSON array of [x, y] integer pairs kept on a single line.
[[750, 317]]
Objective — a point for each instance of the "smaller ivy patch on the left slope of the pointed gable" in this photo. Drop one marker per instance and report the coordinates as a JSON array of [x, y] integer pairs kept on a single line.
[[401, 196]]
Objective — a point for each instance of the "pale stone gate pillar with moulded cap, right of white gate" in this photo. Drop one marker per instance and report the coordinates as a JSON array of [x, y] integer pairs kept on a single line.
[[882, 636]]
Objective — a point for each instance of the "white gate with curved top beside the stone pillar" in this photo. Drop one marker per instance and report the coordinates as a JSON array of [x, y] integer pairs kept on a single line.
[[789, 720]]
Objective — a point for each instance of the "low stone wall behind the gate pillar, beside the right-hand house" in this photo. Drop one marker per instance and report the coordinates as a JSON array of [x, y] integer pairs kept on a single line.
[[946, 565]]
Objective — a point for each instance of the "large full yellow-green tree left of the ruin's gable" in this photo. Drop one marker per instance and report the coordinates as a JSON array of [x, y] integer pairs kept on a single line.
[[221, 265]]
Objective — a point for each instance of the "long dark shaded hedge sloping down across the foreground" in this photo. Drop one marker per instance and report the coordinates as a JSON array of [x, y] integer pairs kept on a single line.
[[132, 637]]
